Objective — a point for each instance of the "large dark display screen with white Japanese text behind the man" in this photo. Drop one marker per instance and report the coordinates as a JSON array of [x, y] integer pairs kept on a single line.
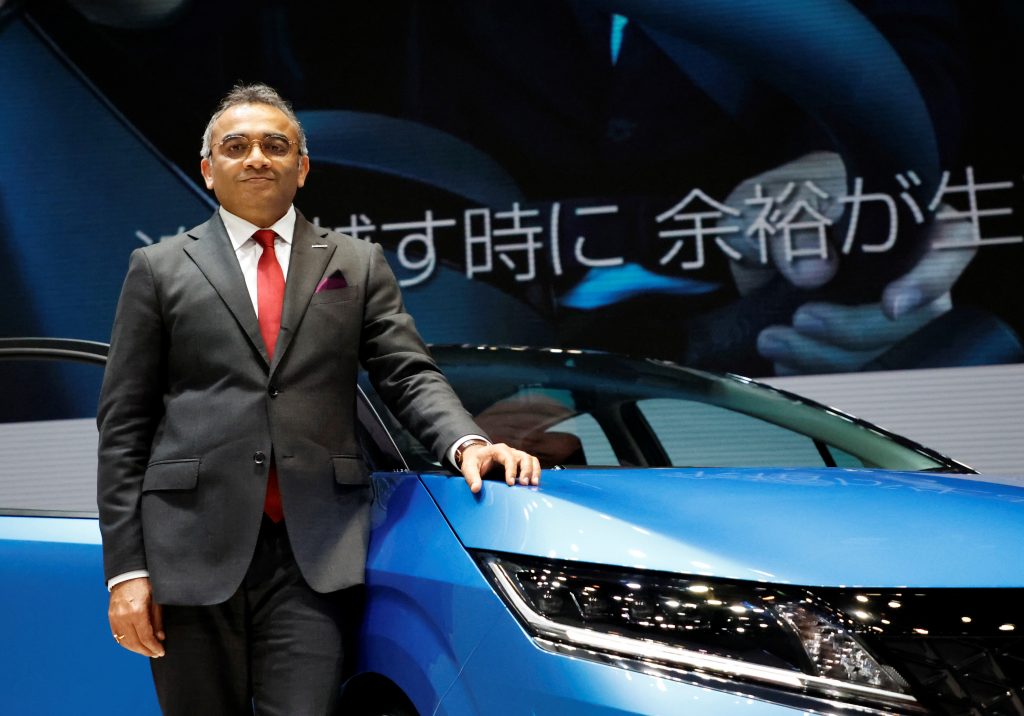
[[771, 188]]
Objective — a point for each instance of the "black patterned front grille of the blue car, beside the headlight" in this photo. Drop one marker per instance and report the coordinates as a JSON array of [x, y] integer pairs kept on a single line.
[[960, 676]]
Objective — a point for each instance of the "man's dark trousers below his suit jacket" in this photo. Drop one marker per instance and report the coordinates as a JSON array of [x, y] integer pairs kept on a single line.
[[276, 648]]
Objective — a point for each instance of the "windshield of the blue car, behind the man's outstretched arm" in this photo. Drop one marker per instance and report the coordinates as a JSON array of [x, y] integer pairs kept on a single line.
[[581, 409]]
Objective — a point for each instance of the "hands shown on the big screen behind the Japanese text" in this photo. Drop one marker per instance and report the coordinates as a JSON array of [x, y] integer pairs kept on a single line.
[[827, 338]]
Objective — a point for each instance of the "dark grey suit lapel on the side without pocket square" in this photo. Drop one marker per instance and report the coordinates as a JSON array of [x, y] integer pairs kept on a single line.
[[214, 255]]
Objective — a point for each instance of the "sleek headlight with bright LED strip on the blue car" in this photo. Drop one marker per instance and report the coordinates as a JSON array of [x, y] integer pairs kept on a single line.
[[773, 642]]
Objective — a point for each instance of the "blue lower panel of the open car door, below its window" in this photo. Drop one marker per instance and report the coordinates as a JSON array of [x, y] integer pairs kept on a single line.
[[58, 656]]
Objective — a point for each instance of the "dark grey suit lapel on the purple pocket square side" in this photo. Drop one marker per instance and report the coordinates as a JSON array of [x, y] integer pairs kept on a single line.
[[305, 270]]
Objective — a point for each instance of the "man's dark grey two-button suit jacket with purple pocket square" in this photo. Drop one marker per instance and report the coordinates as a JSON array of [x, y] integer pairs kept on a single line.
[[191, 411]]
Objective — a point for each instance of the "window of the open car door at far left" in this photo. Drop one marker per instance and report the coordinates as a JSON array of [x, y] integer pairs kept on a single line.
[[49, 437]]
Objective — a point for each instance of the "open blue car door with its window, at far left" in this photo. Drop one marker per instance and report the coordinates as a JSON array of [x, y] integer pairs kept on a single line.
[[58, 655]]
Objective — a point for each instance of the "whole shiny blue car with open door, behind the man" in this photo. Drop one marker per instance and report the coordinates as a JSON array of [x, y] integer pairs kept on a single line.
[[700, 544]]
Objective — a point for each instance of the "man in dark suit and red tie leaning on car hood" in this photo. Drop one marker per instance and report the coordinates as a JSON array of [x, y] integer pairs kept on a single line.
[[234, 501]]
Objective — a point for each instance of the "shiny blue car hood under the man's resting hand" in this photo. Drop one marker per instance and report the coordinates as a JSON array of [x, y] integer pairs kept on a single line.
[[807, 527]]
